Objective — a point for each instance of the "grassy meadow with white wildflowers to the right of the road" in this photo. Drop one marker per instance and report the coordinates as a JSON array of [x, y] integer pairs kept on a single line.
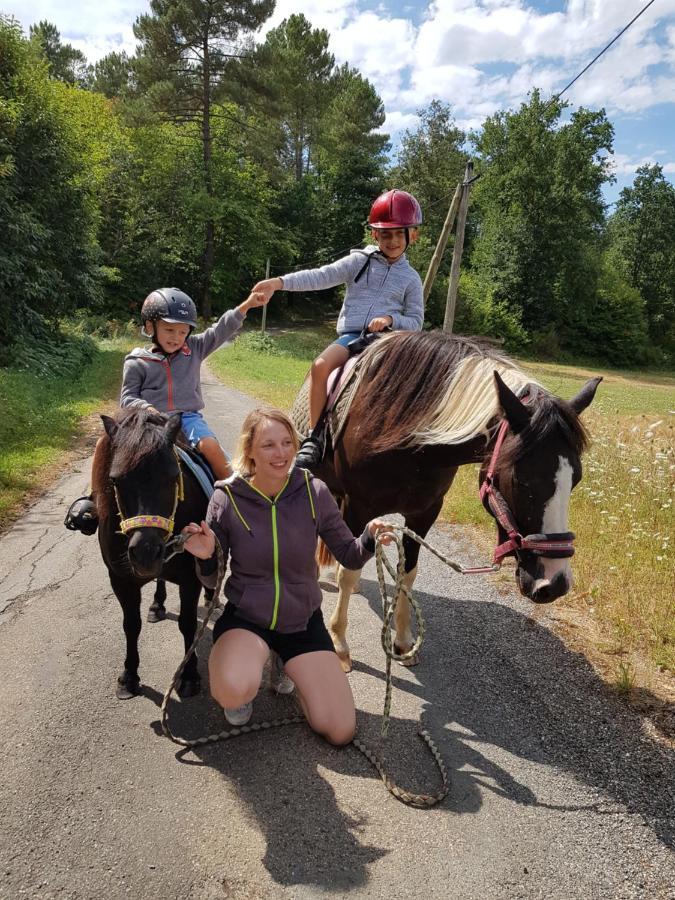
[[621, 512]]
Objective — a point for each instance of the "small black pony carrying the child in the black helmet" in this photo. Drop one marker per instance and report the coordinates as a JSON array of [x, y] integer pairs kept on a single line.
[[145, 495]]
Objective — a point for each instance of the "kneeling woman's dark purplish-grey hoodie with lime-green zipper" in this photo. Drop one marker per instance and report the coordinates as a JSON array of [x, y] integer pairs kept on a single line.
[[271, 544]]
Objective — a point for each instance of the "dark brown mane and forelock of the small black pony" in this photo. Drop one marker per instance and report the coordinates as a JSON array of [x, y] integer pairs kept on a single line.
[[140, 432]]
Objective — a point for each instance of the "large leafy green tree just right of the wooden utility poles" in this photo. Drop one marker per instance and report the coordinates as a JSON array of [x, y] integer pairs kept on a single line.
[[541, 211]]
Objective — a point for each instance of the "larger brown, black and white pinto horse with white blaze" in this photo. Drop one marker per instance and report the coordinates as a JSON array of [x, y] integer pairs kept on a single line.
[[425, 404]]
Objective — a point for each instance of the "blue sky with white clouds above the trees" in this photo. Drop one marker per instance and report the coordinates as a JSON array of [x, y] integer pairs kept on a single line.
[[479, 56]]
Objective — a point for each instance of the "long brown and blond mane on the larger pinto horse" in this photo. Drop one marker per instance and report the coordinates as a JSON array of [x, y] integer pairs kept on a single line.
[[420, 388]]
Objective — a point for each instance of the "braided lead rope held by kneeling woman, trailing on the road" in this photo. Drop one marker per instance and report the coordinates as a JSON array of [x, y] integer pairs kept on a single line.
[[374, 756]]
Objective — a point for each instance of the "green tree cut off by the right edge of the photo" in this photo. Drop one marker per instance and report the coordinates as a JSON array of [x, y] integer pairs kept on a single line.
[[642, 235]]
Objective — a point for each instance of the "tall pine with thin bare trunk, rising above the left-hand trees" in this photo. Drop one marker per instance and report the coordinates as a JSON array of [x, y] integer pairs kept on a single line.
[[186, 62]]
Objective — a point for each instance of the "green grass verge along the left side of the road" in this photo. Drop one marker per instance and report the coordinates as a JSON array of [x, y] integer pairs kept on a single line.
[[41, 418]]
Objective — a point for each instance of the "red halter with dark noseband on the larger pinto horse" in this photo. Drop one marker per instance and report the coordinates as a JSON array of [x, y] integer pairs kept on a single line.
[[551, 545]]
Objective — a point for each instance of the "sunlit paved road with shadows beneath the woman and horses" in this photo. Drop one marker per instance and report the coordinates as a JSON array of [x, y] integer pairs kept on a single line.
[[557, 791]]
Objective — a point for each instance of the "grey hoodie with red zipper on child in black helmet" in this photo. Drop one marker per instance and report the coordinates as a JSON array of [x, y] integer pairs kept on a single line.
[[173, 383]]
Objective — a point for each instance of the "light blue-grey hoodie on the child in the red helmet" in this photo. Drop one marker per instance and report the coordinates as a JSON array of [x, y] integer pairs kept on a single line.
[[384, 289]]
